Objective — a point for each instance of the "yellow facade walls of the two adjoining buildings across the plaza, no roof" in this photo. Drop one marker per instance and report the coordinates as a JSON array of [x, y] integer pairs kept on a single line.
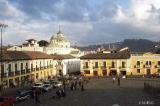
[[131, 67]]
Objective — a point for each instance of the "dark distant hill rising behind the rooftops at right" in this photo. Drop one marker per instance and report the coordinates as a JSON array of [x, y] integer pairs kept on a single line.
[[135, 45]]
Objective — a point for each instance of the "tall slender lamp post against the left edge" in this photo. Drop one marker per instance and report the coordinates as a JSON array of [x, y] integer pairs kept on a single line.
[[2, 26]]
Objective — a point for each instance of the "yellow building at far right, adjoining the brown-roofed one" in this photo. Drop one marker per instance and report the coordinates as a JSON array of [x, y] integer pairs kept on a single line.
[[145, 63]]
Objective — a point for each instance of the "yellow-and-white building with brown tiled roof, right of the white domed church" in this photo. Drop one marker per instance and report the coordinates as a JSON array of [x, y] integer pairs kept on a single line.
[[105, 64]]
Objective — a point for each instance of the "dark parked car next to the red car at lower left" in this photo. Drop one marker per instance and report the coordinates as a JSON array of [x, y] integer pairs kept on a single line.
[[23, 95]]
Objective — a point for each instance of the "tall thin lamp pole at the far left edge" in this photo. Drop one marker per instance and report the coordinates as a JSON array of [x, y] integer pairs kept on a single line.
[[2, 26]]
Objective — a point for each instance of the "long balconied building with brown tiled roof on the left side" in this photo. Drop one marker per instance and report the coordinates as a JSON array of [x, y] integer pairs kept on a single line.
[[20, 67]]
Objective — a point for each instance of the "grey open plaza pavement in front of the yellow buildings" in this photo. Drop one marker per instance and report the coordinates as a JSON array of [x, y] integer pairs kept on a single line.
[[100, 92]]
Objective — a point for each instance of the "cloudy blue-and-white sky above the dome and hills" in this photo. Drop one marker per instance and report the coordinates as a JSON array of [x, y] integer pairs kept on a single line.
[[83, 22]]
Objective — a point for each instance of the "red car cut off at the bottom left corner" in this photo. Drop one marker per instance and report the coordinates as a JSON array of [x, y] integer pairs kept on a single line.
[[7, 101]]
